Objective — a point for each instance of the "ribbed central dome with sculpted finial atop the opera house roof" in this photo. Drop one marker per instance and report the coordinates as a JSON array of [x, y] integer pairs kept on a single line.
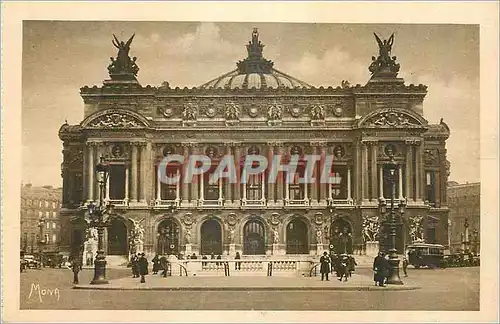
[[255, 72]]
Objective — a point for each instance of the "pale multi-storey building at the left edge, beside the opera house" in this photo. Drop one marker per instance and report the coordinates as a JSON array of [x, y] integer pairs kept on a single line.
[[40, 225]]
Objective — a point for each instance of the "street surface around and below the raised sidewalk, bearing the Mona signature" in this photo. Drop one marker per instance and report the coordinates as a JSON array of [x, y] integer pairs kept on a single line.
[[441, 289]]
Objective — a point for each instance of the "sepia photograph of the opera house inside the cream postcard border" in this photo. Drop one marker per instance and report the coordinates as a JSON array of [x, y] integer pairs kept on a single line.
[[206, 165]]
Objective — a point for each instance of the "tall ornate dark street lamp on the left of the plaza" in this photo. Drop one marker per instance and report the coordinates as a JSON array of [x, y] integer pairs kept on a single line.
[[97, 220]]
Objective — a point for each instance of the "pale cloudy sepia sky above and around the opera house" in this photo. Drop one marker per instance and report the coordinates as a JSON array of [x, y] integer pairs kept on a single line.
[[61, 57]]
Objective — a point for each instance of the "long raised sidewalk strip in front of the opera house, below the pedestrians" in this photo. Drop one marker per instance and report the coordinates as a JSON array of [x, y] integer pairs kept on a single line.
[[156, 282]]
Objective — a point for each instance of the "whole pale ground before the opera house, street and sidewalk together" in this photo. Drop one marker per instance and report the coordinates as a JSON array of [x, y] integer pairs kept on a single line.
[[438, 289]]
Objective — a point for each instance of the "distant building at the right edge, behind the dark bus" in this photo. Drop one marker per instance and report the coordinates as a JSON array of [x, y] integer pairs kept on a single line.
[[464, 202]]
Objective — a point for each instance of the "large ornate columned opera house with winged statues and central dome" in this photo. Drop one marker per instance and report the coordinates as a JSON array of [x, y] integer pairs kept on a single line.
[[254, 109]]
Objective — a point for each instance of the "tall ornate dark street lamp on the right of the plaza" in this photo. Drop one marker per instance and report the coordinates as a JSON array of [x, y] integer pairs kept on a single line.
[[392, 225]]
